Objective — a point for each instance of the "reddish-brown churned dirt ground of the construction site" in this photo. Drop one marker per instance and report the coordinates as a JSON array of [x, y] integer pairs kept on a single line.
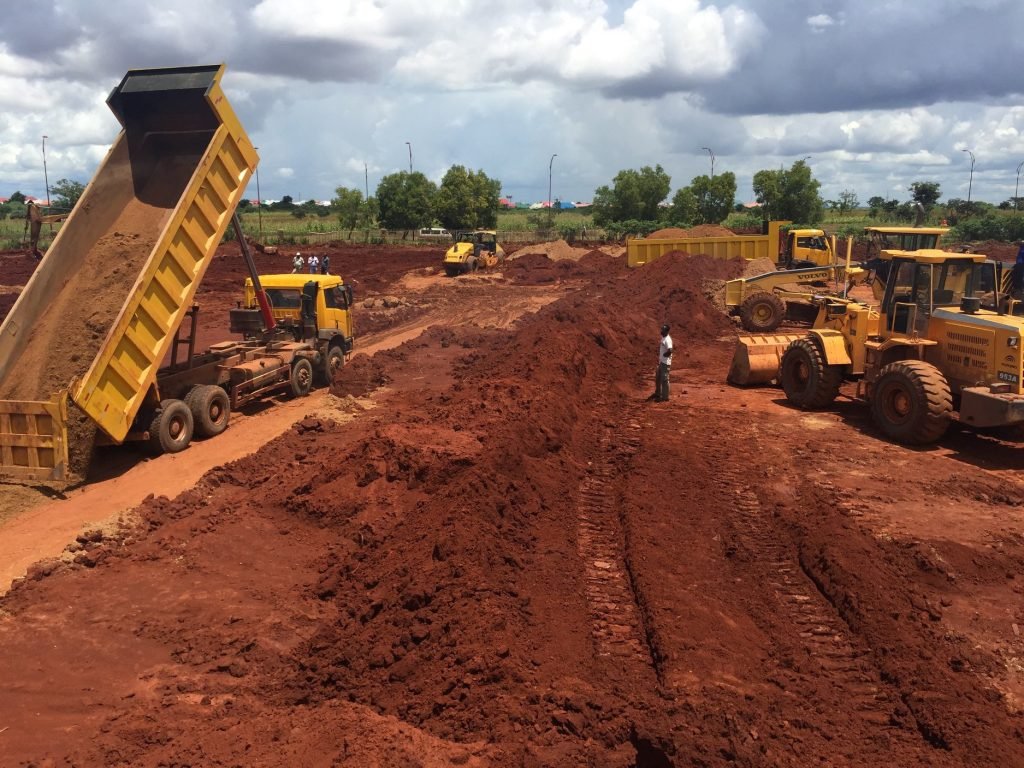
[[486, 546]]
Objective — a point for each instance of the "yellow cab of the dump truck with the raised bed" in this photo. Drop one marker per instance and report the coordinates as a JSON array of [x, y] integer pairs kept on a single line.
[[316, 309]]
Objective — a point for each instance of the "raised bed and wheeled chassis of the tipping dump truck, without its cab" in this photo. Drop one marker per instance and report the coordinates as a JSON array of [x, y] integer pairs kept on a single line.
[[81, 351]]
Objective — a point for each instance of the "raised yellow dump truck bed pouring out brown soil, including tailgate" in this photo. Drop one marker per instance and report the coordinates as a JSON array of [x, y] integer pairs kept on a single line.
[[101, 313]]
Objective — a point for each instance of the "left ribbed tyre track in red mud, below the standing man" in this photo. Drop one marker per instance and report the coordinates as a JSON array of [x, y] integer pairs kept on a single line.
[[617, 622]]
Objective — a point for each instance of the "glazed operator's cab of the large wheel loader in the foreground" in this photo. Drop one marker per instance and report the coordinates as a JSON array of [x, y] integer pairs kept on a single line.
[[921, 282]]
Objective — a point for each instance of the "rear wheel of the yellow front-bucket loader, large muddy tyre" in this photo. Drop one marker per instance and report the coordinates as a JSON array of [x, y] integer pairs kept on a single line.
[[912, 403]]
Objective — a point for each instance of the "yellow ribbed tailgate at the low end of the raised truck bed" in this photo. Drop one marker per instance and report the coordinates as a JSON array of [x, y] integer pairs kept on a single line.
[[34, 440]]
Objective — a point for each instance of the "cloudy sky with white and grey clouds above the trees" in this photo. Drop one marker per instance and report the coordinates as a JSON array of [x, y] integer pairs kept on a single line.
[[878, 93]]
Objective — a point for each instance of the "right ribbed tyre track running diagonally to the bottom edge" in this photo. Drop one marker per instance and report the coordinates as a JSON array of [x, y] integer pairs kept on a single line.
[[870, 706]]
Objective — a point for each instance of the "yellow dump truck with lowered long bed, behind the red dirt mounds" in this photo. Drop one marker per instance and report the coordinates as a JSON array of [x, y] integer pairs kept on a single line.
[[790, 249]]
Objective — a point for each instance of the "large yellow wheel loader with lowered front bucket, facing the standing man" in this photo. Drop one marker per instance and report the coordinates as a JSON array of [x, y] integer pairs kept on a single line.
[[944, 345]]
